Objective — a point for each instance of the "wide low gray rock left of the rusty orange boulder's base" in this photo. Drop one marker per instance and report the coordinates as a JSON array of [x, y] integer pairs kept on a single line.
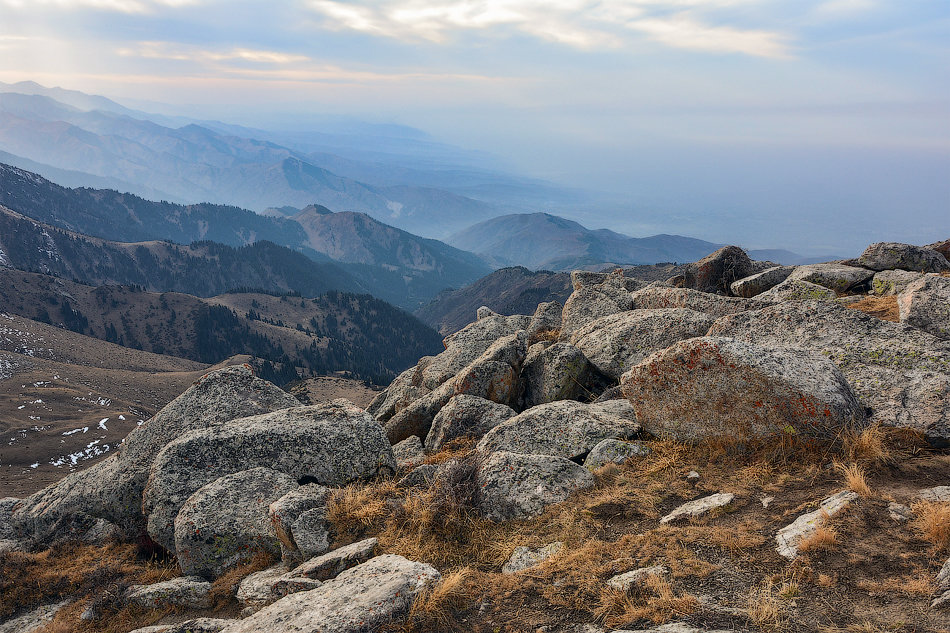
[[565, 428]]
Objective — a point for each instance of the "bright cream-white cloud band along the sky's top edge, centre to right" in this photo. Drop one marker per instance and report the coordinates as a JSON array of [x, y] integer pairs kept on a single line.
[[584, 24]]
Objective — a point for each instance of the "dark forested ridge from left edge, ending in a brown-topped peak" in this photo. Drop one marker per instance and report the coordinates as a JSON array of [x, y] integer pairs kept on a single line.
[[389, 263]]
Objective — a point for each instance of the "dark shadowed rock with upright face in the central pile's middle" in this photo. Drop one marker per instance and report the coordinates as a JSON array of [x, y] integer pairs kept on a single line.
[[558, 372]]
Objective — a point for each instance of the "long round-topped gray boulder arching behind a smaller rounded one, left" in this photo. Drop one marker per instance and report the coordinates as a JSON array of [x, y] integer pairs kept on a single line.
[[330, 444]]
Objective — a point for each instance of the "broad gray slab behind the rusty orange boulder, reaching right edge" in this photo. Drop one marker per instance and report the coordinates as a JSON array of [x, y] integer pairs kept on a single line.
[[902, 373]]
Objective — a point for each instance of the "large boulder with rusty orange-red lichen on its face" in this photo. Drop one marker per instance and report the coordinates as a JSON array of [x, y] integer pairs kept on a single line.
[[714, 387]]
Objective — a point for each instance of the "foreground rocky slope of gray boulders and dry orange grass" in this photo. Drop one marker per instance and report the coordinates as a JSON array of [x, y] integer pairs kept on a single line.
[[743, 447]]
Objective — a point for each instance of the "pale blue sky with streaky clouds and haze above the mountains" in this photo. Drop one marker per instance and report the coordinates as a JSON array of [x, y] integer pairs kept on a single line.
[[742, 117]]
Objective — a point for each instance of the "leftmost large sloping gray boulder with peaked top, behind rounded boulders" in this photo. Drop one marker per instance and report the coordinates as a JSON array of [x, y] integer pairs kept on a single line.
[[112, 489]]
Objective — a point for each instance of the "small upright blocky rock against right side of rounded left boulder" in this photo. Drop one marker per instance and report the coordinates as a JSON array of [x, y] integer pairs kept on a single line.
[[299, 520]]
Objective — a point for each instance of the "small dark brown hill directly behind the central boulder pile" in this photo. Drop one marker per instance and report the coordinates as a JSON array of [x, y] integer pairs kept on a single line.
[[514, 290]]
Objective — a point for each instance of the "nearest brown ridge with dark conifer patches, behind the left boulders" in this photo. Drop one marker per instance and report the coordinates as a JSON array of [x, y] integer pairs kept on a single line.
[[331, 333]]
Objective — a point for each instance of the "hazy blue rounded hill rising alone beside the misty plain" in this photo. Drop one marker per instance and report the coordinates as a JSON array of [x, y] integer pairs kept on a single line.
[[542, 240]]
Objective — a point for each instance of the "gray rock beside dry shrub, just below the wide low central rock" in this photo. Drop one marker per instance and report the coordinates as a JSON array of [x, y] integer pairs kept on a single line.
[[515, 486]]
